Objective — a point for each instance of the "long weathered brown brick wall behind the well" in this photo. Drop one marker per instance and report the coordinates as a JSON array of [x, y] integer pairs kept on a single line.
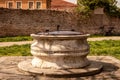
[[25, 22]]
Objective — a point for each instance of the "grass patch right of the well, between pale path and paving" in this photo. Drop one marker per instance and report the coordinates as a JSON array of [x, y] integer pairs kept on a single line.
[[106, 47]]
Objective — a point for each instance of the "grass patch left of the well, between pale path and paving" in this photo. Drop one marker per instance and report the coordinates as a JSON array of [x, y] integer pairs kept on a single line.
[[15, 50]]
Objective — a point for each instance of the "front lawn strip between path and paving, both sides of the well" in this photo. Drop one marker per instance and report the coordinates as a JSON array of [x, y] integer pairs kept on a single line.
[[106, 47]]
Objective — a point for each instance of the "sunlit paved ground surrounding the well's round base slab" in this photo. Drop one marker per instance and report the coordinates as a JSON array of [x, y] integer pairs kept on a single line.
[[9, 70]]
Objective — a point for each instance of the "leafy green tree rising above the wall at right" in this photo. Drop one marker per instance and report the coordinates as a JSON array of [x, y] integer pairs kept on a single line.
[[87, 6]]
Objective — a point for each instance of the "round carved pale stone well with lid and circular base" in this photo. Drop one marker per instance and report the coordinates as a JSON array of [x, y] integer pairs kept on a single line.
[[58, 51]]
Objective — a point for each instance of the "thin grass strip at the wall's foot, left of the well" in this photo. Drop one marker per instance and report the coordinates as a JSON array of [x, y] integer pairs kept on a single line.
[[14, 39]]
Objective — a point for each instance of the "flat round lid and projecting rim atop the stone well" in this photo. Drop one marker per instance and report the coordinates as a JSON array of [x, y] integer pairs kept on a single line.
[[60, 35]]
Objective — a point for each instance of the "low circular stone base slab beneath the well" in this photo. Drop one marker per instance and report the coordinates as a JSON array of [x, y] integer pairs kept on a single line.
[[93, 68]]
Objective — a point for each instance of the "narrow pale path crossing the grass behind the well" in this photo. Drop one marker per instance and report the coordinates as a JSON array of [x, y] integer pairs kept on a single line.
[[29, 42]]
